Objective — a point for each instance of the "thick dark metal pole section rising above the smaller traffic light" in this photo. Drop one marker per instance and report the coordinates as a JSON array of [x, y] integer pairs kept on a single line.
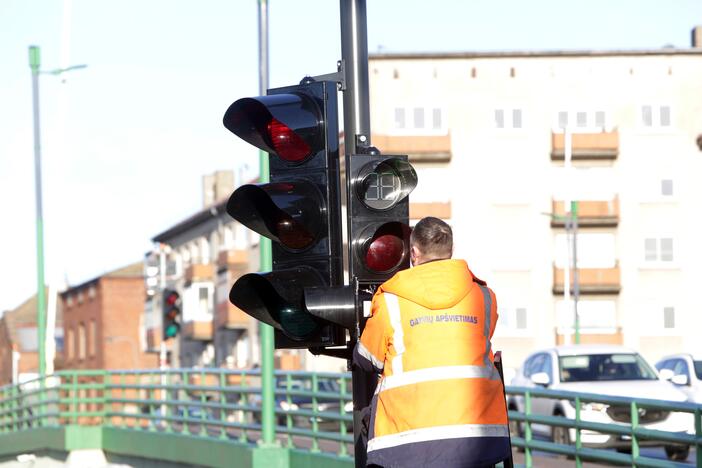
[[354, 53]]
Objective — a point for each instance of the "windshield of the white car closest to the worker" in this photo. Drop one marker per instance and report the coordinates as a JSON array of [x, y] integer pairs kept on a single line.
[[596, 367]]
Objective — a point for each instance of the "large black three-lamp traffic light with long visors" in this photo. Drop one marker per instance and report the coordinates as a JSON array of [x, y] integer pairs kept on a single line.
[[299, 209]]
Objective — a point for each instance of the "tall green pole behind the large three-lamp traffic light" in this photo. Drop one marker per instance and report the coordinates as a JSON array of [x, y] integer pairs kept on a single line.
[[266, 331]]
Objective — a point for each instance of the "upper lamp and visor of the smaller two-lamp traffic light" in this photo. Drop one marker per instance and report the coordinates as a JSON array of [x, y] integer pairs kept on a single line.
[[384, 183]]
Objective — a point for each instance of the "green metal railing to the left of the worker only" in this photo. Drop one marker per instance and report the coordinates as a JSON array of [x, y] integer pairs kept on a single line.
[[313, 411]]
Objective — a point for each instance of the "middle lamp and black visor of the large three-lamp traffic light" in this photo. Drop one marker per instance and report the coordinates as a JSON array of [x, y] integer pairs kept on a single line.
[[290, 213]]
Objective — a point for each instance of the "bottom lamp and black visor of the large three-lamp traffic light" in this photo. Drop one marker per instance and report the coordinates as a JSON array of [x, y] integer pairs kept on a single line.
[[277, 298]]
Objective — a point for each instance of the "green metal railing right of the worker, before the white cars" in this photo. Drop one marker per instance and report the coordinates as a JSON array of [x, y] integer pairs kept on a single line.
[[633, 431]]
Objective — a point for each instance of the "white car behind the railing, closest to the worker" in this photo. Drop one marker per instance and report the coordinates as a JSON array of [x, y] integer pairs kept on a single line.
[[610, 370]]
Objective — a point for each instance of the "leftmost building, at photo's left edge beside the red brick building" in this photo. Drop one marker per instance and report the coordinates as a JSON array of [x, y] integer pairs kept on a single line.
[[18, 341]]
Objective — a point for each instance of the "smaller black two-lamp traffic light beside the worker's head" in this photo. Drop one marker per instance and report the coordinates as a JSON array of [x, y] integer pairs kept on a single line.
[[378, 216]]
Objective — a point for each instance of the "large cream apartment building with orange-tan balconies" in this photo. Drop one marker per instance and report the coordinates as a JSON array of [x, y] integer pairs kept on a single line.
[[485, 132]]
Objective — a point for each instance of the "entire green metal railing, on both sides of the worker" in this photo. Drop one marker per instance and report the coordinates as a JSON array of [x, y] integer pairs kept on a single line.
[[223, 408]]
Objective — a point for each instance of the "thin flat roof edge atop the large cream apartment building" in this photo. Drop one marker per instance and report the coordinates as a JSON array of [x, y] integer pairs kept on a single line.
[[531, 54]]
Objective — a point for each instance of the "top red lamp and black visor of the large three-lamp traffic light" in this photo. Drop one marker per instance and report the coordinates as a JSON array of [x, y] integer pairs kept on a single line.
[[287, 125]]
